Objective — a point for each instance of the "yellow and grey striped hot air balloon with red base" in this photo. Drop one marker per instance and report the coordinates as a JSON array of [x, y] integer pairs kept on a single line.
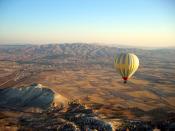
[[126, 64]]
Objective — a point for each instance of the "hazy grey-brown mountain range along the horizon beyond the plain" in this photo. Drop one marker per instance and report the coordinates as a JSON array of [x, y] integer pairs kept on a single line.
[[85, 53]]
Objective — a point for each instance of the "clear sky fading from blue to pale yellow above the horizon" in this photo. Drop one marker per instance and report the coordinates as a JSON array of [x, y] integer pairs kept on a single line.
[[131, 22]]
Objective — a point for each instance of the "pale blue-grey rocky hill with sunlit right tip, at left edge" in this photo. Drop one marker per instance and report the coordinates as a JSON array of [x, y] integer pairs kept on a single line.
[[33, 96]]
